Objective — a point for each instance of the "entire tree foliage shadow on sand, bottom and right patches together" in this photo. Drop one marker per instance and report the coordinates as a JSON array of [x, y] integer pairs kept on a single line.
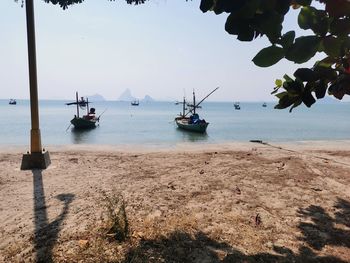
[[199, 248]]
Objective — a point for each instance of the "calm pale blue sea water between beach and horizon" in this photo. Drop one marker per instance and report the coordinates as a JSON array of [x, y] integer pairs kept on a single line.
[[152, 123]]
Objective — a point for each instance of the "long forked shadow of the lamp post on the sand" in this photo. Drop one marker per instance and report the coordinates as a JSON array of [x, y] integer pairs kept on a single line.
[[45, 235]]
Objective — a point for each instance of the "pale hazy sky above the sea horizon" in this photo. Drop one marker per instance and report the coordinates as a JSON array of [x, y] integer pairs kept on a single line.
[[162, 48]]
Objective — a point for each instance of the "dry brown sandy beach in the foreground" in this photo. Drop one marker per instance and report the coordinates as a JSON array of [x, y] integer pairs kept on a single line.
[[240, 202]]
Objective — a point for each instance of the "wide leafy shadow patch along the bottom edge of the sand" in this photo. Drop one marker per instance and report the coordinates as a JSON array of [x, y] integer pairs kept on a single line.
[[181, 247]]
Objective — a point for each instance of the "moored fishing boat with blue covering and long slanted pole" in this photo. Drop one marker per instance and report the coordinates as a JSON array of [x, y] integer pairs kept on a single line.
[[192, 122]]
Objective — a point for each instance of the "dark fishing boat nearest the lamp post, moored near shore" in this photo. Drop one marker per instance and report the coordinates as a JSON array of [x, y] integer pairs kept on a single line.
[[87, 121]]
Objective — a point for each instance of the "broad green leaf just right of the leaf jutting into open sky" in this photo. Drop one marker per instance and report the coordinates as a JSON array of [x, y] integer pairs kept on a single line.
[[303, 49]]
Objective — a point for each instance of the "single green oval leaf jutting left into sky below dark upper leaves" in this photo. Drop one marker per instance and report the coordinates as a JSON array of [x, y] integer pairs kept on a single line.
[[268, 56]]
